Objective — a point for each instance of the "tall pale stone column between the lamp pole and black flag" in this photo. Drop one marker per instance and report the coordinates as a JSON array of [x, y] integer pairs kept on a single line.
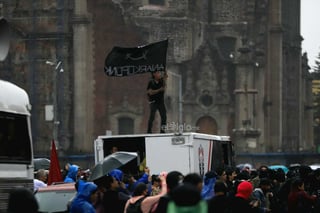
[[83, 100]]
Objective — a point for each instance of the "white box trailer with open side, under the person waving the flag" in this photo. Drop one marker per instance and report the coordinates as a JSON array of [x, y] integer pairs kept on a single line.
[[185, 152]]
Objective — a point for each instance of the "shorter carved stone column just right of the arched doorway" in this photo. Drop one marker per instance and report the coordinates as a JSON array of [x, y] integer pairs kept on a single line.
[[245, 133]]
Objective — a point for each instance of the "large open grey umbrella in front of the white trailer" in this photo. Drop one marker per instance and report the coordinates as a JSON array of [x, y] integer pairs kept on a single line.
[[112, 161]]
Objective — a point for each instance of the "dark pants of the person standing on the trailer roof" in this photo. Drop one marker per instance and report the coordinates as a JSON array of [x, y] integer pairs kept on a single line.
[[163, 115]]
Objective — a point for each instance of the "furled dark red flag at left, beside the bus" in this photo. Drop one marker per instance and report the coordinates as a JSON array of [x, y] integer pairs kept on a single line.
[[54, 171]]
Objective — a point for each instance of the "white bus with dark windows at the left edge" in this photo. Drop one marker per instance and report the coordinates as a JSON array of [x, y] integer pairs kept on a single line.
[[16, 151]]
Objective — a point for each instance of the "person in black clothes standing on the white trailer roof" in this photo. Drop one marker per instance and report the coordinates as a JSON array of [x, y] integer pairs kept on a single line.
[[155, 91]]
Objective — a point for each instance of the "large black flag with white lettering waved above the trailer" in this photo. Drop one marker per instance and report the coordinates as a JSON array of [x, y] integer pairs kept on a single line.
[[122, 61]]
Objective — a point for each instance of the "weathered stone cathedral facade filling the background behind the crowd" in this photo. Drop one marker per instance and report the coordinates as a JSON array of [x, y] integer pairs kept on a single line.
[[235, 68]]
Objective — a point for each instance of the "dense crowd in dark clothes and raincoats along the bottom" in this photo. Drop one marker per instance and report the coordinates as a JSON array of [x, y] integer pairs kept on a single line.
[[222, 190]]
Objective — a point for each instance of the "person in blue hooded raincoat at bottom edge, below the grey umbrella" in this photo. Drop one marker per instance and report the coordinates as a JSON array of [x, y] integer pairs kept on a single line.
[[87, 195]]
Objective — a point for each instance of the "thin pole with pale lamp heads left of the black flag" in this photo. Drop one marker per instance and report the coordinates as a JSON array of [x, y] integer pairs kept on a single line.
[[57, 67]]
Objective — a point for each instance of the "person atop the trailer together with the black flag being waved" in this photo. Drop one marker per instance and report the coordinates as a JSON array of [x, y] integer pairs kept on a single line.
[[128, 61]]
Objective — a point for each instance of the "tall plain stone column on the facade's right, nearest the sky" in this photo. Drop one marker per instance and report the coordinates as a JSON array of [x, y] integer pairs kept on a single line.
[[274, 78]]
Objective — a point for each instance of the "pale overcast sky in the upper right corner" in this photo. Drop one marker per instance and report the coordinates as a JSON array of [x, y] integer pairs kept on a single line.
[[310, 29]]
